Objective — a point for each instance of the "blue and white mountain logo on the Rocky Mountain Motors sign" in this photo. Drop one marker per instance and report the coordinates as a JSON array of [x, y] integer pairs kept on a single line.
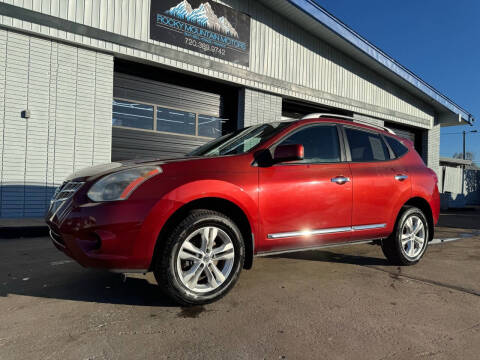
[[203, 16]]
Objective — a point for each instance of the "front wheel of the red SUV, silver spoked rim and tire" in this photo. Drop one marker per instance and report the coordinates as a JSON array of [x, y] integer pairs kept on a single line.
[[201, 259]]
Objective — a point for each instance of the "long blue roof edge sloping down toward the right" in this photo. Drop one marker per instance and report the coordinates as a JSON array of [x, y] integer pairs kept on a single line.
[[339, 28]]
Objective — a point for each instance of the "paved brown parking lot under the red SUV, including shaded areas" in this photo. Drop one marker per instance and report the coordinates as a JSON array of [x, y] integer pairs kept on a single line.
[[341, 303]]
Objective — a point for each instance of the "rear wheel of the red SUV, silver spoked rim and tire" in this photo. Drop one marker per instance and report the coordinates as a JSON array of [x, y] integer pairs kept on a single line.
[[409, 240]]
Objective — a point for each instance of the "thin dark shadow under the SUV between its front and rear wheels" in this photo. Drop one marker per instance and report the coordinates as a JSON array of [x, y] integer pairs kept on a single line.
[[329, 256]]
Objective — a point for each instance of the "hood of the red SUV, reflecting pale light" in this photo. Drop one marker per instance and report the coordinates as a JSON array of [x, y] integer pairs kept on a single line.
[[93, 172]]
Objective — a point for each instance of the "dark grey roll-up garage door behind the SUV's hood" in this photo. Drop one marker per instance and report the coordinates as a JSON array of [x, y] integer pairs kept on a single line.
[[129, 142]]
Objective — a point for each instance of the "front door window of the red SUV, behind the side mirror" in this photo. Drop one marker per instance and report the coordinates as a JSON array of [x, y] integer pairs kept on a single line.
[[320, 143]]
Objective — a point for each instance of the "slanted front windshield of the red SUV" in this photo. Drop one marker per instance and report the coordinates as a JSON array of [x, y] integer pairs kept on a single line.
[[240, 141]]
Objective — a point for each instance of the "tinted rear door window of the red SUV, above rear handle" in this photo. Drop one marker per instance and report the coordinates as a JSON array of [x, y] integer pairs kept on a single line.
[[366, 146]]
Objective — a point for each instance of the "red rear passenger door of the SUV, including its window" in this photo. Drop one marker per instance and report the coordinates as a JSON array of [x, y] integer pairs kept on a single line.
[[377, 187]]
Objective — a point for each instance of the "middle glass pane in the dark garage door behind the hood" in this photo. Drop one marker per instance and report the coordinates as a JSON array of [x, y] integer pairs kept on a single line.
[[176, 121]]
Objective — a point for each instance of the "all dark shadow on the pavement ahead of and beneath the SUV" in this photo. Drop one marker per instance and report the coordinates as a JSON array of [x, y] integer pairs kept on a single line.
[[31, 267]]
